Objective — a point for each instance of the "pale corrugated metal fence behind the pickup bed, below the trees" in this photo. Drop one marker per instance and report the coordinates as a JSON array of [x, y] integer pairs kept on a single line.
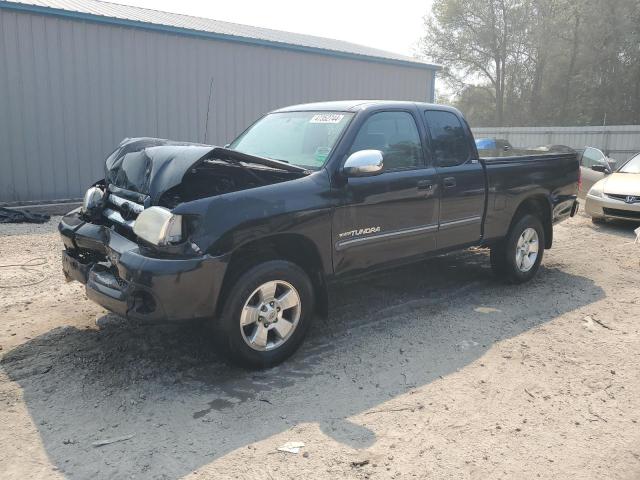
[[620, 142]]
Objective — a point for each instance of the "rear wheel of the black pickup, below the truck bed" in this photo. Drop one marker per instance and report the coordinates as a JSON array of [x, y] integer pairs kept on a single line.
[[507, 256]]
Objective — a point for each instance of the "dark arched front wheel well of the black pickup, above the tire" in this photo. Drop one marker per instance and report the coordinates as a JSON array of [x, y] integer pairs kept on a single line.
[[291, 247]]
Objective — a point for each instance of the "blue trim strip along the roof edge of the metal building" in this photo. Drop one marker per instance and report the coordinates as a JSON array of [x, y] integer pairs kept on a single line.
[[57, 12]]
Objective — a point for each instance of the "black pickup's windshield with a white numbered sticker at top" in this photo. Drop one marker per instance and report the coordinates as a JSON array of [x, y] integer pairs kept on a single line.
[[300, 138]]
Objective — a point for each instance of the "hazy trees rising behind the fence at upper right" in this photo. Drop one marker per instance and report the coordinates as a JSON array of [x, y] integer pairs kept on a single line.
[[539, 62]]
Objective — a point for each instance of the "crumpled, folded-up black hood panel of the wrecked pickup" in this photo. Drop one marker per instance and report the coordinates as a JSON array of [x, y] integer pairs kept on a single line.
[[151, 165]]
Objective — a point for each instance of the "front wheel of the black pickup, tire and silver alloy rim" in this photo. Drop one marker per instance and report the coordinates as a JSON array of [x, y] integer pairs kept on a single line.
[[264, 300]]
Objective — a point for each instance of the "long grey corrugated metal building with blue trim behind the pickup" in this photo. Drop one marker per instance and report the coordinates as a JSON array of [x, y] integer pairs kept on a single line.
[[78, 76]]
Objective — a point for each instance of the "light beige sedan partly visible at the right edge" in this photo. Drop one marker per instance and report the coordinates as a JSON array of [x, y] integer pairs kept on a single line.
[[617, 195]]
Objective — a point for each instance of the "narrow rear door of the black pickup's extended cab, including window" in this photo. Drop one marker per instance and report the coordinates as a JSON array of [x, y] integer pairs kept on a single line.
[[461, 179]]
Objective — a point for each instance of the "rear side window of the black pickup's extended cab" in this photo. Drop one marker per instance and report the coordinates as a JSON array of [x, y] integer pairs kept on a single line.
[[449, 142]]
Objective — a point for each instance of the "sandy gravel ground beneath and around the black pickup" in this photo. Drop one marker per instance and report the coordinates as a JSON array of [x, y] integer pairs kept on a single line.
[[435, 370]]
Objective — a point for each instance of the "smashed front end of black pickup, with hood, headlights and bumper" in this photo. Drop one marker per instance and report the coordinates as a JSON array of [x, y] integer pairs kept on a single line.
[[136, 257]]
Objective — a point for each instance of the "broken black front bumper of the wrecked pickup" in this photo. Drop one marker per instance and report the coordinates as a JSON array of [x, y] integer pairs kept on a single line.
[[130, 282]]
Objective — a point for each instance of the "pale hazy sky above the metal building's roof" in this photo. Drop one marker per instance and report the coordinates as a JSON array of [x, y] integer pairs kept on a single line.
[[395, 26]]
